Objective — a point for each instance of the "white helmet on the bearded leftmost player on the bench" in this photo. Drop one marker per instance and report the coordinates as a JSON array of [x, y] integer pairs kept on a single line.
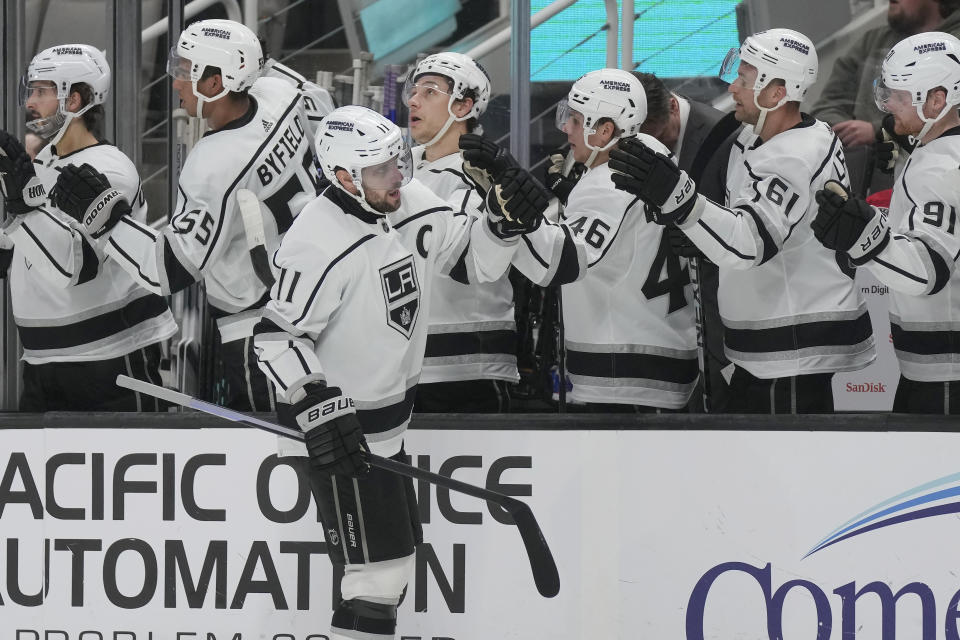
[[65, 65]]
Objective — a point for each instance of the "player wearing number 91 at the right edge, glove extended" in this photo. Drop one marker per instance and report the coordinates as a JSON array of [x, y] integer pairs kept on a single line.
[[913, 250]]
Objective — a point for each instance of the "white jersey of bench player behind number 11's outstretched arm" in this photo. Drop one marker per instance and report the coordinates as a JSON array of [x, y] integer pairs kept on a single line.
[[472, 332]]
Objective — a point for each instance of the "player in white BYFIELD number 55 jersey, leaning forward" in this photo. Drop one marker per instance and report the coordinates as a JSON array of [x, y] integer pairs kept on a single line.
[[258, 141]]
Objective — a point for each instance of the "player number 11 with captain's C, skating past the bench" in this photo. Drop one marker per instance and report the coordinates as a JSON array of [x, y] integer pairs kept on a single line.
[[343, 337]]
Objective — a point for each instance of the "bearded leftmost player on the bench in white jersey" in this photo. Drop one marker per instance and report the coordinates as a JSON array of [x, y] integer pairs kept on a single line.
[[80, 323]]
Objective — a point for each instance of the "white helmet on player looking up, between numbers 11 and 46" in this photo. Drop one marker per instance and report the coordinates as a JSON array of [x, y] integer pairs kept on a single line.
[[465, 74]]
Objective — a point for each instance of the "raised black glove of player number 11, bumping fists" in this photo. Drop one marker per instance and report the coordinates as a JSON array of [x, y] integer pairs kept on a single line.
[[516, 203]]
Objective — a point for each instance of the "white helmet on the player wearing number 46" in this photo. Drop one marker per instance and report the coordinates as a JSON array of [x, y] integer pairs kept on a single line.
[[605, 93]]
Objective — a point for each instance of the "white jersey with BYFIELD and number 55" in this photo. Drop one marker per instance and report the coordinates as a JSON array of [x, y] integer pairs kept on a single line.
[[268, 151]]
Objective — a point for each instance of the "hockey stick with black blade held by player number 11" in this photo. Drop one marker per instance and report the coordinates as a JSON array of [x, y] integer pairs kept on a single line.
[[545, 574]]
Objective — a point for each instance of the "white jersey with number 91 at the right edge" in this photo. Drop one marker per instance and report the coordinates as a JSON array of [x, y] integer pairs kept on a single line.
[[919, 262]]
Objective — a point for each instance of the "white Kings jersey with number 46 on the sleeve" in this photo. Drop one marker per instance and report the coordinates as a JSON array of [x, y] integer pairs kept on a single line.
[[628, 316]]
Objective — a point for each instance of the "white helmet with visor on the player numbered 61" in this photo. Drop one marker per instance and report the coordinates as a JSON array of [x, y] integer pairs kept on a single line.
[[777, 54]]
